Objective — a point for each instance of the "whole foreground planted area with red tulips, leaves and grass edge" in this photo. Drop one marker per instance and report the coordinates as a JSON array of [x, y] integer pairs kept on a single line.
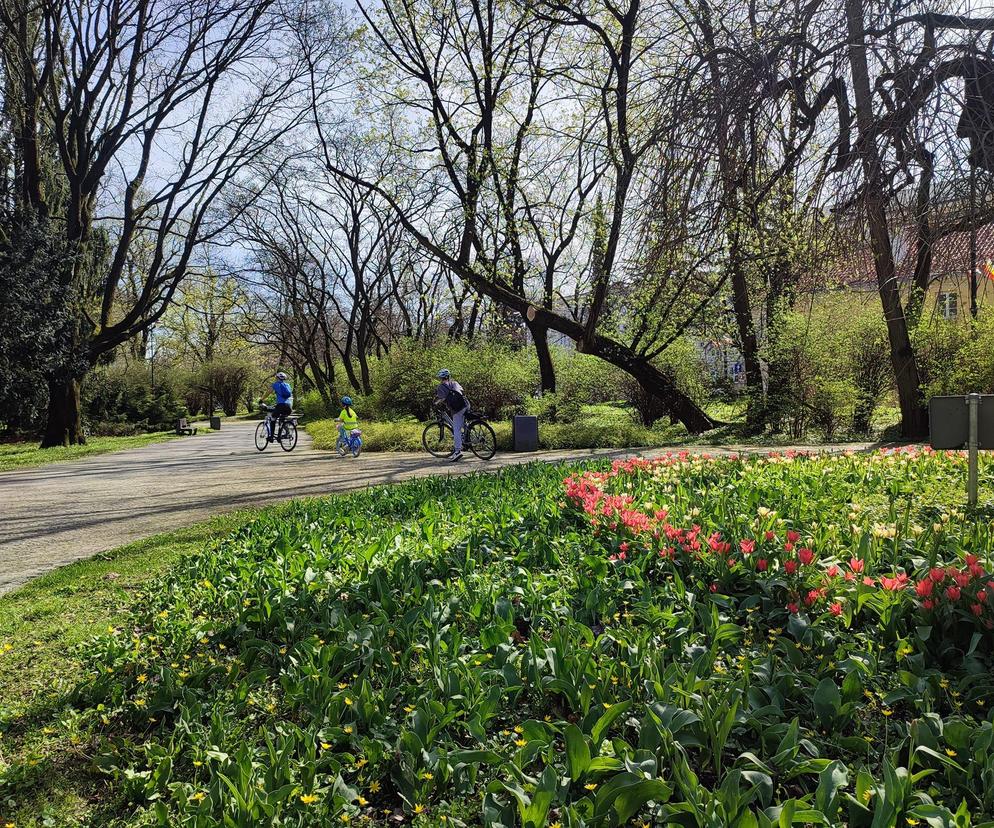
[[726, 641]]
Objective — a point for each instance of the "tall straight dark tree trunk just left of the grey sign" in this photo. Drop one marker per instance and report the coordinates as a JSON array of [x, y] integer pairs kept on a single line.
[[914, 418]]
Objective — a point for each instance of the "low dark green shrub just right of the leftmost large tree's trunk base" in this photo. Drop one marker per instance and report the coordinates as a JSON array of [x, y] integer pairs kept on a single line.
[[119, 399]]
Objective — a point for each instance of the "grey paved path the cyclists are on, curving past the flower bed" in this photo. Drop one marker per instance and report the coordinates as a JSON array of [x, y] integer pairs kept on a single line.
[[56, 514]]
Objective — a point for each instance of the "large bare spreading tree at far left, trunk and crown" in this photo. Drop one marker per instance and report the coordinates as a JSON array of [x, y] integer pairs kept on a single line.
[[156, 110]]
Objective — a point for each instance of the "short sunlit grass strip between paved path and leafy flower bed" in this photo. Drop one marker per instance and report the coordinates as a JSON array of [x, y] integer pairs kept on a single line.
[[42, 626]]
